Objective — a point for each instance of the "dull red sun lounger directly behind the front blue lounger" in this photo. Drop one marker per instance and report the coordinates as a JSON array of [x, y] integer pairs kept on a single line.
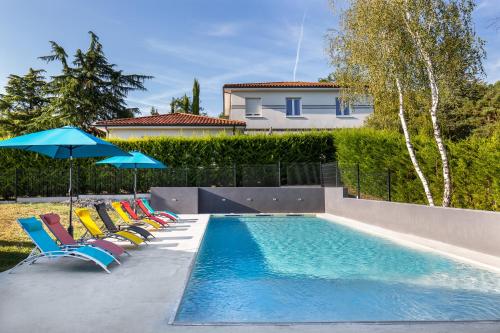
[[53, 223]]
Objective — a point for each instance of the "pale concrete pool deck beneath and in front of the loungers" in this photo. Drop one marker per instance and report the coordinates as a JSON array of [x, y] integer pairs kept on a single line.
[[142, 295]]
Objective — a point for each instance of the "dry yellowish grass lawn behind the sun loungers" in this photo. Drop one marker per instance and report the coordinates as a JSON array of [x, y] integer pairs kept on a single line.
[[14, 243]]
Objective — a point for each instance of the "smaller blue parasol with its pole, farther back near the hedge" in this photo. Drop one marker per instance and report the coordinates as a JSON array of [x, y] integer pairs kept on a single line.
[[136, 160]]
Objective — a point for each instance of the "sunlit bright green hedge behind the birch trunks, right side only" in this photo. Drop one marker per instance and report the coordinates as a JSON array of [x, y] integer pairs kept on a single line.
[[474, 163]]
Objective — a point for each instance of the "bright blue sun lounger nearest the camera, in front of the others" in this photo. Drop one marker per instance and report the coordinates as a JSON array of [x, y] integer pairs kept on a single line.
[[46, 247]]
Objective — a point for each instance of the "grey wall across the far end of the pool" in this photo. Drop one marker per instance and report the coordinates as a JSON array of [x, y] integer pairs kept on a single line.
[[239, 199]]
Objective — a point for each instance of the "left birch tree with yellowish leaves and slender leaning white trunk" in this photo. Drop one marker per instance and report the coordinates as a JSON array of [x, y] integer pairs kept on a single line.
[[370, 58]]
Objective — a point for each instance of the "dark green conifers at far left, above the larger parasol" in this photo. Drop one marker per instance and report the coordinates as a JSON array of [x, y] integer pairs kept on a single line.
[[88, 89]]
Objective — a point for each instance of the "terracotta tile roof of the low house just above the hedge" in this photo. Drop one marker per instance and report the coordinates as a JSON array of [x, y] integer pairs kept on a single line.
[[171, 119]]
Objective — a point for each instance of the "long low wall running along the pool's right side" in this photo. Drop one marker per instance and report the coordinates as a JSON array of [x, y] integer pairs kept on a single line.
[[471, 229]]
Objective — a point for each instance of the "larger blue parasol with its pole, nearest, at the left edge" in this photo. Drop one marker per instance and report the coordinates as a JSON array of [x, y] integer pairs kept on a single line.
[[65, 142]]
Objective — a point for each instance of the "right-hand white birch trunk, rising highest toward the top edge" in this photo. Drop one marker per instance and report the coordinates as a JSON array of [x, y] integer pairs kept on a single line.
[[433, 111]]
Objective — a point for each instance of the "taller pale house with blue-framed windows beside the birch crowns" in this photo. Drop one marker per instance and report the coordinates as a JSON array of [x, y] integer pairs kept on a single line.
[[292, 106]]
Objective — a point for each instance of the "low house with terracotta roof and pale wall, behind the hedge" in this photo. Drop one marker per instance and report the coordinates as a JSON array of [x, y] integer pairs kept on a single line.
[[173, 124]]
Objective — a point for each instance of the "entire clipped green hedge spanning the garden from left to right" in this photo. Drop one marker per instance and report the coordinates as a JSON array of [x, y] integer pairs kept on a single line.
[[474, 162]]
